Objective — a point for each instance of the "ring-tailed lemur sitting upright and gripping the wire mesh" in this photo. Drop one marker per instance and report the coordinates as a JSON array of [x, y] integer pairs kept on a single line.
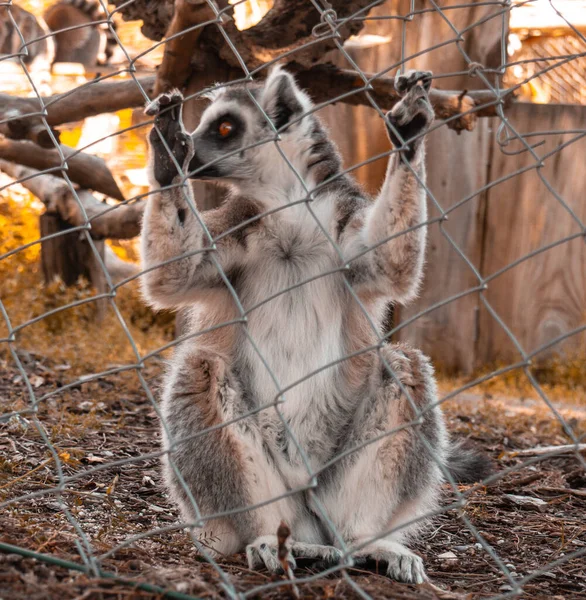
[[311, 331]]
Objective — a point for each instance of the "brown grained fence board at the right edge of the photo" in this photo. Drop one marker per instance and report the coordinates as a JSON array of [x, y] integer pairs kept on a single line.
[[545, 296]]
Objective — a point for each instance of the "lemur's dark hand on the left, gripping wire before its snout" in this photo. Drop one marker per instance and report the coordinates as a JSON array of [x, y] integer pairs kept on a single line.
[[168, 138]]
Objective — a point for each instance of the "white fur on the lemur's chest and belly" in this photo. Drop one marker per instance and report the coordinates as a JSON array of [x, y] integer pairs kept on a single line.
[[296, 329]]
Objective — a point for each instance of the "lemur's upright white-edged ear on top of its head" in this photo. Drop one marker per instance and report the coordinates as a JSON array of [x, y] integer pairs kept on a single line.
[[282, 100]]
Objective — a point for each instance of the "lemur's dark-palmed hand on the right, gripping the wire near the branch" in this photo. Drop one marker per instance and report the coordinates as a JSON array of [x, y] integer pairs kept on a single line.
[[413, 114]]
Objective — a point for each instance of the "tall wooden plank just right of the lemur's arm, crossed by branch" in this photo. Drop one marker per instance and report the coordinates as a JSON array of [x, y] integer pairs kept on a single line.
[[457, 167]]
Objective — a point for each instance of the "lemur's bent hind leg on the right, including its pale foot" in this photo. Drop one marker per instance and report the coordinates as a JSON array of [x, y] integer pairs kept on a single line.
[[389, 482]]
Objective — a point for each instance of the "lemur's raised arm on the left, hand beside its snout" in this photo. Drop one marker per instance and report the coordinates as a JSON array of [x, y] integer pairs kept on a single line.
[[172, 227]]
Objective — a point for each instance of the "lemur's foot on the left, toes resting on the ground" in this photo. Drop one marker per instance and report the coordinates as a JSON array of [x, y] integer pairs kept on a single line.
[[263, 553]]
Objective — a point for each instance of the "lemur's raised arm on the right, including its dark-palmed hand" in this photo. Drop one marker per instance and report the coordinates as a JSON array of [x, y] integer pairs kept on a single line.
[[393, 268]]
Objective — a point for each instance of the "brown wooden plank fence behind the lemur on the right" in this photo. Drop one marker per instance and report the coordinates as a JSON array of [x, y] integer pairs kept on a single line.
[[500, 220]]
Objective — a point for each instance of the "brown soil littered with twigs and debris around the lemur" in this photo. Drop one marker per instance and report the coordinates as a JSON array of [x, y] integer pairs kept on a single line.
[[532, 517]]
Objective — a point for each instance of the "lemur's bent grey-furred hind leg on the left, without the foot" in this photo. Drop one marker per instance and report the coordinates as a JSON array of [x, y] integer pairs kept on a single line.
[[224, 469]]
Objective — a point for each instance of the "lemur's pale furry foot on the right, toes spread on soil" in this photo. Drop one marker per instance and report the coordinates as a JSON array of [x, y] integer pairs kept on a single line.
[[398, 561]]
